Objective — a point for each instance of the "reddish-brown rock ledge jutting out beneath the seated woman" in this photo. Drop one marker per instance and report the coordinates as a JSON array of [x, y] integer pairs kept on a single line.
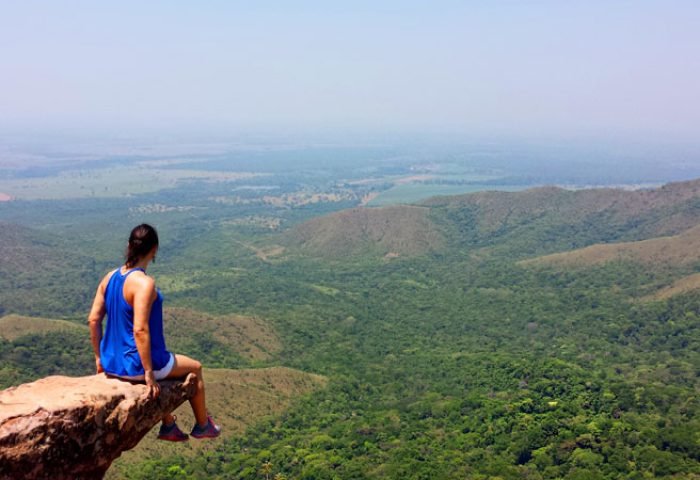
[[73, 428]]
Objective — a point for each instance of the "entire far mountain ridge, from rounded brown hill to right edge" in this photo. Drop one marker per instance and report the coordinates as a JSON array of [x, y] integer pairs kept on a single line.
[[529, 223]]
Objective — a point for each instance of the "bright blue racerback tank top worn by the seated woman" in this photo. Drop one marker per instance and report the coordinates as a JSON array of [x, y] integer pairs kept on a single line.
[[118, 353]]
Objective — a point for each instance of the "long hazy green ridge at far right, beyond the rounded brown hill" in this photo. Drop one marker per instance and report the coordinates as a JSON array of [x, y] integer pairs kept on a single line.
[[550, 219]]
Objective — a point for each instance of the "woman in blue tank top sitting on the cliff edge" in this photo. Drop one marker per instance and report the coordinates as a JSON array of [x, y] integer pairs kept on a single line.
[[133, 345]]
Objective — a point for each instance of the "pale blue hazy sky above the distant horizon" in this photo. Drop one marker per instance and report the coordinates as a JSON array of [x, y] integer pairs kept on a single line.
[[522, 67]]
